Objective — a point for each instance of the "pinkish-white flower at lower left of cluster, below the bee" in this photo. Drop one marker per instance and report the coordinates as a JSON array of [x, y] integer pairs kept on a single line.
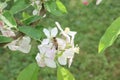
[[46, 56]]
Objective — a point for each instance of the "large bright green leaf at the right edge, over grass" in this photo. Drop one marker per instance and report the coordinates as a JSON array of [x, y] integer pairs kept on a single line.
[[110, 35]]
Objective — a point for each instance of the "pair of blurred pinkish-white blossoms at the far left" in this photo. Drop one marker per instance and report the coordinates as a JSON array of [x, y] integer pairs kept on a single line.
[[21, 44]]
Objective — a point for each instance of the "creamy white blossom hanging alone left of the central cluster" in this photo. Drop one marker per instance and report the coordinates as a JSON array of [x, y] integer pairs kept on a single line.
[[22, 45]]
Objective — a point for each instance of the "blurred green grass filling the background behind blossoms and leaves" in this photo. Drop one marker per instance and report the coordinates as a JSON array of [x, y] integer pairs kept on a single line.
[[90, 22]]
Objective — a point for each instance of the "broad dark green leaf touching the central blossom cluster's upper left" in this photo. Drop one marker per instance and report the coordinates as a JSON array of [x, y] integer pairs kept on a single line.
[[32, 32]]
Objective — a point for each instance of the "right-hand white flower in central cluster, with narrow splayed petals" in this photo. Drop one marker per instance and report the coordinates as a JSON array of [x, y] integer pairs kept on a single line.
[[69, 50]]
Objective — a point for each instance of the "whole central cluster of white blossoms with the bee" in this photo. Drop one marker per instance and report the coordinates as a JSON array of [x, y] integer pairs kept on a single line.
[[57, 49]]
